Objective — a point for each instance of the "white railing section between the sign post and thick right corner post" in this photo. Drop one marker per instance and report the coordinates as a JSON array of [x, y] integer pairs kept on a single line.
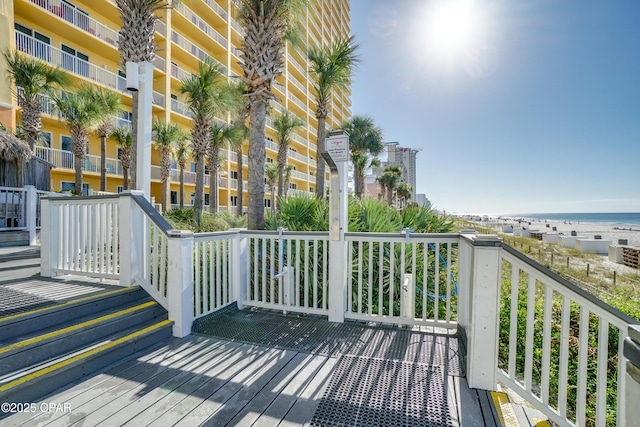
[[402, 279]]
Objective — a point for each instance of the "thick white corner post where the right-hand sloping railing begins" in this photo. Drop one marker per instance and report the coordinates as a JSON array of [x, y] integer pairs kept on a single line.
[[479, 284]]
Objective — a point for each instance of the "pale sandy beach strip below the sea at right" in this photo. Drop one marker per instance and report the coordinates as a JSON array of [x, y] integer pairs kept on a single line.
[[588, 230]]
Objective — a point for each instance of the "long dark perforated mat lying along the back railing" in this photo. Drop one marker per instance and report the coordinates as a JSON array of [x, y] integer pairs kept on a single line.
[[319, 336]]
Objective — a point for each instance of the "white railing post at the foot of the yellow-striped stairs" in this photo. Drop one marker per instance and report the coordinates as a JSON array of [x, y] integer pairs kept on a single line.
[[180, 281]]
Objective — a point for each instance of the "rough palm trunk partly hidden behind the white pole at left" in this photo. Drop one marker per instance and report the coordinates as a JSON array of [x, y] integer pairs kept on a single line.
[[136, 43]]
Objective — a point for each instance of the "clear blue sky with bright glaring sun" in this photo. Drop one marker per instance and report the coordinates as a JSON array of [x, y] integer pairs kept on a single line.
[[518, 105]]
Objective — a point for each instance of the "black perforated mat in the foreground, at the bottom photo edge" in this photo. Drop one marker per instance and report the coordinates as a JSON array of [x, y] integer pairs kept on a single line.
[[370, 392]]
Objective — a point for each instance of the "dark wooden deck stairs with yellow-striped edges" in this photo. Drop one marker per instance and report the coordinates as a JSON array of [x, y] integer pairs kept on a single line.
[[48, 348]]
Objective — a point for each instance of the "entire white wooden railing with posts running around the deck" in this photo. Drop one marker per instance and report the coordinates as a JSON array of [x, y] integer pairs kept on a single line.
[[558, 347]]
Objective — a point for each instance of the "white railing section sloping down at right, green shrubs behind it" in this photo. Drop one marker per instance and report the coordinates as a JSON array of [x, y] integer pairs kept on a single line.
[[560, 347]]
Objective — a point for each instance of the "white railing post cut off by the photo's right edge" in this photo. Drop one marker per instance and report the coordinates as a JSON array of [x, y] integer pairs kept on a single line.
[[632, 381]]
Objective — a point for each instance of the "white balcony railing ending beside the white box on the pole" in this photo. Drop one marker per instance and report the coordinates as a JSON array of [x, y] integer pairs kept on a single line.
[[57, 57]]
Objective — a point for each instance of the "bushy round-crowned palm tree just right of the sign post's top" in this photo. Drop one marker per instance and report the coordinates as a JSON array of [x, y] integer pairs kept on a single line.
[[365, 139]]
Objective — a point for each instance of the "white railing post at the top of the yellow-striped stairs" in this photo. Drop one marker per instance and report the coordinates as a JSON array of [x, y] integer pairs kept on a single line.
[[131, 236]]
